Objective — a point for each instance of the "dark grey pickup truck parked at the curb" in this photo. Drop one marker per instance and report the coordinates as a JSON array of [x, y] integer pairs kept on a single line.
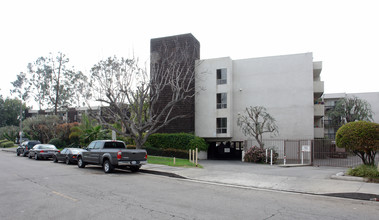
[[112, 154]]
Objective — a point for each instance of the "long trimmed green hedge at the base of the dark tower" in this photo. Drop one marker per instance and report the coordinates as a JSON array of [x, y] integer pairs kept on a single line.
[[182, 141]]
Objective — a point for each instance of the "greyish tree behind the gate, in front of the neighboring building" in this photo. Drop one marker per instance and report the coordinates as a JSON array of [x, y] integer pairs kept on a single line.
[[351, 109]]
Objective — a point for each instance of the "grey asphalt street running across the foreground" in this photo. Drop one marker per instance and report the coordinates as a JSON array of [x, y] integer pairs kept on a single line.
[[45, 190]]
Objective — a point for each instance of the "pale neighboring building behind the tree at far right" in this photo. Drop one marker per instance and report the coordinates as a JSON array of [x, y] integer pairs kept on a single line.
[[331, 100]]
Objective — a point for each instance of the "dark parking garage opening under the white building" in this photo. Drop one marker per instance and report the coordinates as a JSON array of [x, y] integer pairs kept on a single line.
[[225, 150]]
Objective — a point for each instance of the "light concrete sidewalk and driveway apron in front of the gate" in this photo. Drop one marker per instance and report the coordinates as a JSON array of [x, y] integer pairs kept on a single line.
[[306, 179]]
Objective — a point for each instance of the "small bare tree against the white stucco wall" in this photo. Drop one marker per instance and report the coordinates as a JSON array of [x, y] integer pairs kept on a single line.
[[257, 122]]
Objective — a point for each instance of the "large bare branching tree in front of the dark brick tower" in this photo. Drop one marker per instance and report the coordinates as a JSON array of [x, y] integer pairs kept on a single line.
[[134, 97]]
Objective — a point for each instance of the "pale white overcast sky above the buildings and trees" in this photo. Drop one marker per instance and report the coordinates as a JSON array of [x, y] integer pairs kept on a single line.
[[342, 34]]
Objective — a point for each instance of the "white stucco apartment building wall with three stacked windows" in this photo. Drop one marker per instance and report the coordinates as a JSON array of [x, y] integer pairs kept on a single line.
[[288, 86]]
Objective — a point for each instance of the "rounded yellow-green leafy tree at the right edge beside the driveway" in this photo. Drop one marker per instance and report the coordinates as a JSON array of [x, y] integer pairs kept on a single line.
[[361, 138]]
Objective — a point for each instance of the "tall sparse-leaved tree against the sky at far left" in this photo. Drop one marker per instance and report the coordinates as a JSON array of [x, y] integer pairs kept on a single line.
[[55, 84]]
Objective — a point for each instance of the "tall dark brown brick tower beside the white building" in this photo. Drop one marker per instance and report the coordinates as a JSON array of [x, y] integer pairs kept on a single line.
[[163, 49]]
